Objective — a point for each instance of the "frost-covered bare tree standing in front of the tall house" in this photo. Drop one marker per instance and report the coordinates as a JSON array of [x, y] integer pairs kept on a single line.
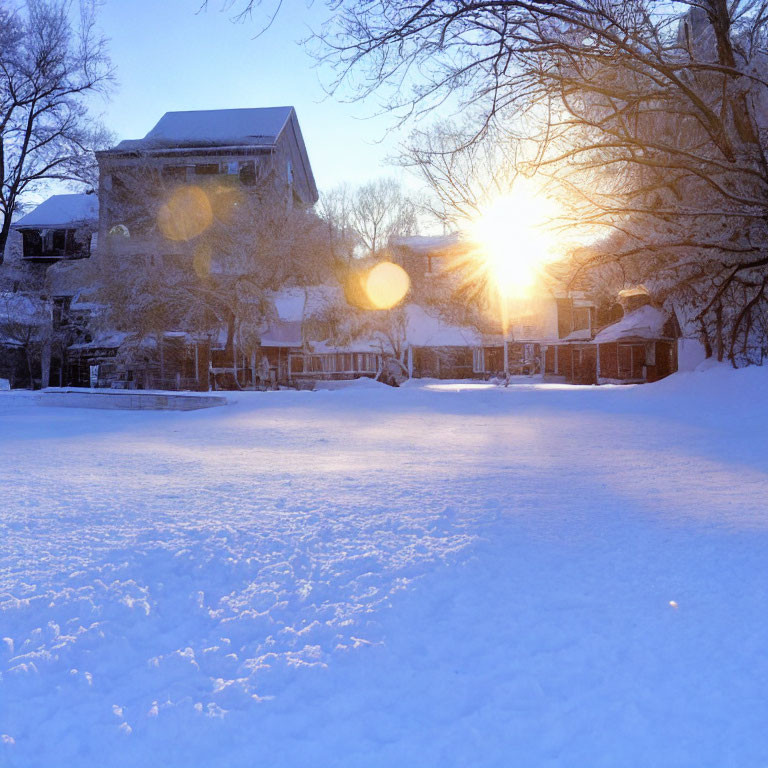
[[201, 258]]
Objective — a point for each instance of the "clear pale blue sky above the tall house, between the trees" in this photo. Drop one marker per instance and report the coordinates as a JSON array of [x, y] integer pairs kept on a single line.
[[170, 57]]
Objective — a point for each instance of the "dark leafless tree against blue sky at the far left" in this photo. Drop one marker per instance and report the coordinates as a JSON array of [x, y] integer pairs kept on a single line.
[[47, 69]]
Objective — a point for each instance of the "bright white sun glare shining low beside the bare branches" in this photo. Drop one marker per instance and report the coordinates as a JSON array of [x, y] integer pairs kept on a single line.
[[513, 239]]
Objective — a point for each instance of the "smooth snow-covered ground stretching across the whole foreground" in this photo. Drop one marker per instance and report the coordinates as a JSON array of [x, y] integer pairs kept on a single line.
[[440, 575]]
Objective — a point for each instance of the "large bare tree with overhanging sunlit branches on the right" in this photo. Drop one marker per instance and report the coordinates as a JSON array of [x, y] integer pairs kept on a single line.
[[649, 116]]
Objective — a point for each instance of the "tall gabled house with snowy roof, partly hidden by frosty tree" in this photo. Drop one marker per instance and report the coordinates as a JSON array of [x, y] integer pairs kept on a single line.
[[198, 158]]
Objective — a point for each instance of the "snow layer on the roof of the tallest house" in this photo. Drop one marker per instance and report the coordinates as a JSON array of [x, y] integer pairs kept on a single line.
[[214, 127]]
